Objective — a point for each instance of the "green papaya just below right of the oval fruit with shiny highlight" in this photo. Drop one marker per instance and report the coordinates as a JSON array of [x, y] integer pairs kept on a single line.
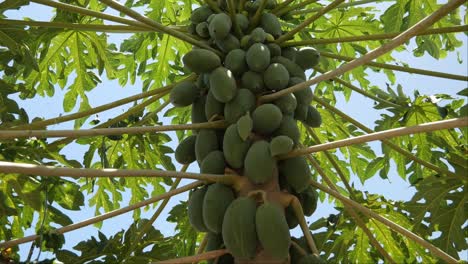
[[243, 102]]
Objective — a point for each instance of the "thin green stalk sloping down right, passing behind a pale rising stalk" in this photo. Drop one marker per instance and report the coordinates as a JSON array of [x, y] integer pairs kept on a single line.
[[387, 142]]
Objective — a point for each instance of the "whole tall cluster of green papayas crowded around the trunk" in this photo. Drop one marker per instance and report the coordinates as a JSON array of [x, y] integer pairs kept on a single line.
[[249, 64]]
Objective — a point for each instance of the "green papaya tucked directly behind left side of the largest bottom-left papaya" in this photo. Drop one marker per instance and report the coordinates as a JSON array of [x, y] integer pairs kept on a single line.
[[217, 199]]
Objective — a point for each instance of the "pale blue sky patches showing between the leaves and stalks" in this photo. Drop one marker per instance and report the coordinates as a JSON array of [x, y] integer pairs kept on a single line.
[[357, 107]]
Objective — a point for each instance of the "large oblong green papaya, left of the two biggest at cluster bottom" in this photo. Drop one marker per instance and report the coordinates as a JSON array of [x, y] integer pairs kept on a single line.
[[239, 232]]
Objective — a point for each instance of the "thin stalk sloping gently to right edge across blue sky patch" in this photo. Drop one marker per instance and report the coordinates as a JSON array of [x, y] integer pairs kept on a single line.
[[399, 68]]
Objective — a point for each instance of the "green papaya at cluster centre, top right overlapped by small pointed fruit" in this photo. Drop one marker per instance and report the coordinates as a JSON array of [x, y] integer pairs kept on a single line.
[[234, 147]]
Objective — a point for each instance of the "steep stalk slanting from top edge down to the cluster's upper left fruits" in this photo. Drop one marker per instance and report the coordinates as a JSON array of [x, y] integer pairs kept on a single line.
[[153, 24]]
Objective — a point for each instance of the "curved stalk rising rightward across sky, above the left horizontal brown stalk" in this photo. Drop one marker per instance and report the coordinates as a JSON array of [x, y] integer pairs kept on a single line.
[[101, 108]]
